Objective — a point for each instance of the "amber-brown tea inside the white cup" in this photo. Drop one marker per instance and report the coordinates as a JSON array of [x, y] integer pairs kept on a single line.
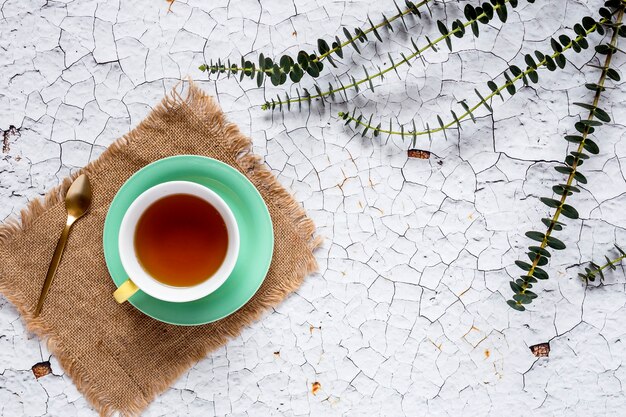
[[181, 240]]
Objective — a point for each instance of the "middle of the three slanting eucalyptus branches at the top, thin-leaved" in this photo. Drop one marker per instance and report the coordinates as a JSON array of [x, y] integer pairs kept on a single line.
[[474, 15]]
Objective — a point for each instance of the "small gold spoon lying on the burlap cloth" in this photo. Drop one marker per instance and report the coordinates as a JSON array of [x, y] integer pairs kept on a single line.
[[77, 202]]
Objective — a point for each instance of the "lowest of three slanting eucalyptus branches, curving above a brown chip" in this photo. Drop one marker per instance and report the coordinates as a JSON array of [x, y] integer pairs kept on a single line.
[[549, 61]]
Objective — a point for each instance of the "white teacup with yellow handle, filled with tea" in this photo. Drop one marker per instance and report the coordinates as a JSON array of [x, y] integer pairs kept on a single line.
[[134, 221]]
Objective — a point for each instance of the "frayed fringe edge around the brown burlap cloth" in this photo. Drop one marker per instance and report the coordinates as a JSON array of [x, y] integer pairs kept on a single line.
[[240, 147]]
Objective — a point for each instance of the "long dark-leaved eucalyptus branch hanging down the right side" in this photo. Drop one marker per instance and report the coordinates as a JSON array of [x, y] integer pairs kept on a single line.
[[539, 255]]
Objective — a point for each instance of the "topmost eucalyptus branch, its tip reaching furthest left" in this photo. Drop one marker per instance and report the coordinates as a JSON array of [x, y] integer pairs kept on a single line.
[[306, 62]]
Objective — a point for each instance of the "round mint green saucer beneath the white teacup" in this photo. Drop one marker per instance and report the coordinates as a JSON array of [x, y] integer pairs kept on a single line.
[[255, 231]]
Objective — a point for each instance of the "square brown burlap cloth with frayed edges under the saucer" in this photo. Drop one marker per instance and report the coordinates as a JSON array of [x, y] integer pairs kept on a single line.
[[119, 358]]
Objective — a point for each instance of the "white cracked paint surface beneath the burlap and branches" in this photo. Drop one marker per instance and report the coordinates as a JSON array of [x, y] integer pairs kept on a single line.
[[407, 316]]
